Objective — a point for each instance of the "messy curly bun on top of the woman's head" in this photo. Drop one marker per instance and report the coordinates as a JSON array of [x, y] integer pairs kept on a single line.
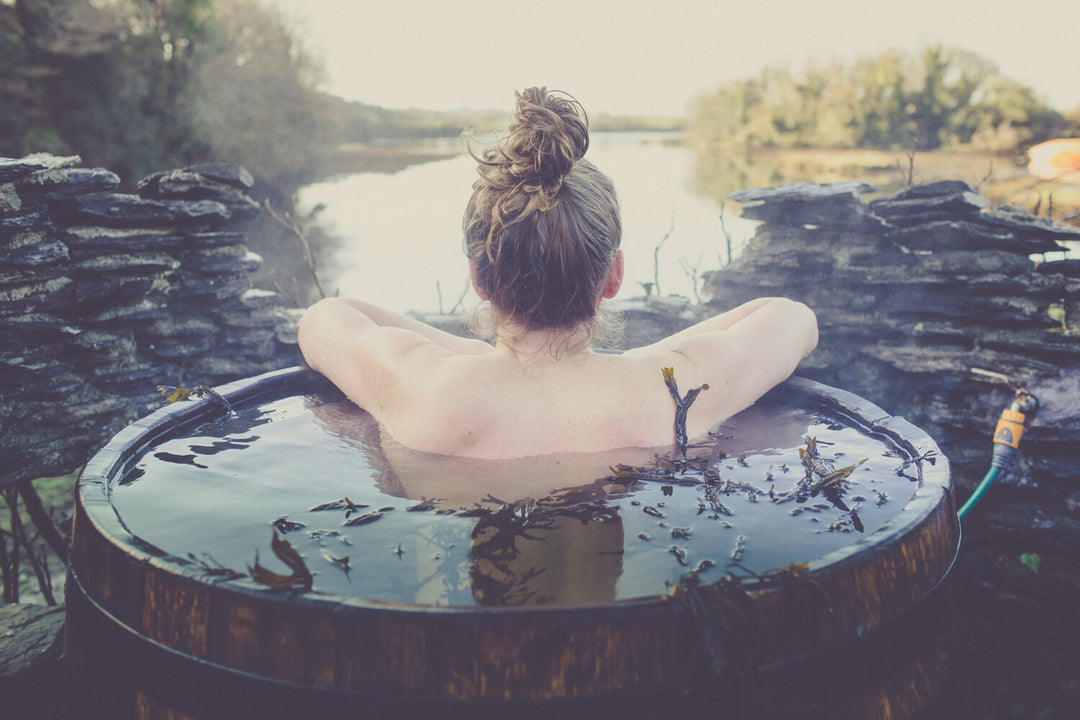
[[550, 133]]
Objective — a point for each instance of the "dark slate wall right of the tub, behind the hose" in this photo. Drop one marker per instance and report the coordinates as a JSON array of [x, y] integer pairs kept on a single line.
[[913, 293]]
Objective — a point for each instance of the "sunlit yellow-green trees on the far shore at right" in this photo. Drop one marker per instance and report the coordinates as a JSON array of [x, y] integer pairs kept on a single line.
[[943, 97]]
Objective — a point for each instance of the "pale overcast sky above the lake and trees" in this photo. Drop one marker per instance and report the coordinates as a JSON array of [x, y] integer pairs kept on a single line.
[[653, 57]]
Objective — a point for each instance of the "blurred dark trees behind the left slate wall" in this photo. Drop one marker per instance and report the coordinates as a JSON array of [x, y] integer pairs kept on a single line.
[[142, 86]]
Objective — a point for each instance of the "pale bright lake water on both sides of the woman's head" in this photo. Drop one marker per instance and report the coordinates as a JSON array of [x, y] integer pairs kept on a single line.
[[400, 234]]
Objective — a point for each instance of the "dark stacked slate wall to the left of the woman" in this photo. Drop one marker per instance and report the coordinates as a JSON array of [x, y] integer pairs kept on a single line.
[[106, 295]]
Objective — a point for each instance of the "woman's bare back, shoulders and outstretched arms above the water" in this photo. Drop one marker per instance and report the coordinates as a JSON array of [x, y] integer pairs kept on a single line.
[[440, 393]]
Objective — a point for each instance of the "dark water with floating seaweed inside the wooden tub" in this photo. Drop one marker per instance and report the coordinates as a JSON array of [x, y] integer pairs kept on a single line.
[[399, 525]]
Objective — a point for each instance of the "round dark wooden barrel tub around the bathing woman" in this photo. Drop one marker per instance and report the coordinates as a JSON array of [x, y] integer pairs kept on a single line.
[[871, 631]]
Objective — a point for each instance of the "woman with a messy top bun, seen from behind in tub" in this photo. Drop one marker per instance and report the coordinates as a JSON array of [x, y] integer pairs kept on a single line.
[[543, 236]]
